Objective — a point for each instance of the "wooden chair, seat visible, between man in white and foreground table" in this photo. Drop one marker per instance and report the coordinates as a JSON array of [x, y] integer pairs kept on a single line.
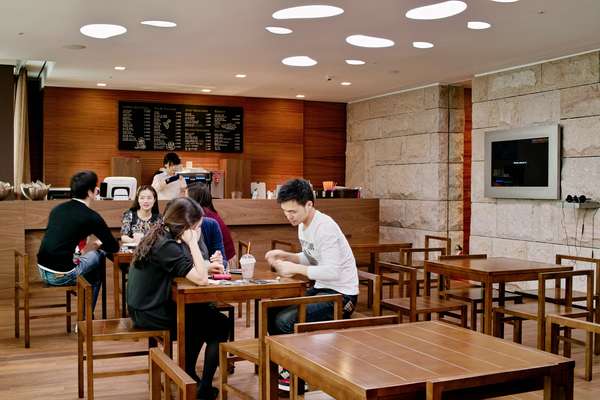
[[253, 350]]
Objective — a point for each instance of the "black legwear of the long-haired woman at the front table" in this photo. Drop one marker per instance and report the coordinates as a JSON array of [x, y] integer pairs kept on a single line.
[[203, 324]]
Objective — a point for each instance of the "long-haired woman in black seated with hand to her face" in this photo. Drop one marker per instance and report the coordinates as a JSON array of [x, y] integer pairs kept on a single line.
[[171, 250]]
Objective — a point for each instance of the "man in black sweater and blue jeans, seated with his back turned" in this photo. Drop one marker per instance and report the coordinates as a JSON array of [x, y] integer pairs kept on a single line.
[[69, 224]]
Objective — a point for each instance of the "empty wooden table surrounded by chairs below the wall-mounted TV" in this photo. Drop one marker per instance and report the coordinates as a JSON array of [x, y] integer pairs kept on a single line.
[[489, 271]]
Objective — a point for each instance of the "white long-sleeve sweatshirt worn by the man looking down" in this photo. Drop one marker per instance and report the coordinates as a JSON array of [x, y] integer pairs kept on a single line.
[[329, 256]]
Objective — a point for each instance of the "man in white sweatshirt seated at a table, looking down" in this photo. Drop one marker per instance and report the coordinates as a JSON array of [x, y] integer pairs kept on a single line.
[[326, 258]]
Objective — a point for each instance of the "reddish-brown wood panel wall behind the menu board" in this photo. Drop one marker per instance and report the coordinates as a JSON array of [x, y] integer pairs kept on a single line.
[[80, 132]]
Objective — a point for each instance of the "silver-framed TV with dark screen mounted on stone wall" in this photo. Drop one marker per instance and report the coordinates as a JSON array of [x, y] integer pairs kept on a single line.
[[523, 163]]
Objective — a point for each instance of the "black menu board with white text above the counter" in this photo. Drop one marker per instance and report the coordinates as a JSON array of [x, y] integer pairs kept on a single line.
[[172, 127]]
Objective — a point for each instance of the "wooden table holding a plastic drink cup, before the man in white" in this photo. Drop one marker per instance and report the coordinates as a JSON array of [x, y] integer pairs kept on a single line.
[[185, 292]]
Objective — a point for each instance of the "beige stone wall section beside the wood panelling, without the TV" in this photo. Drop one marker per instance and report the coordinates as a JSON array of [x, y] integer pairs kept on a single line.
[[406, 149]]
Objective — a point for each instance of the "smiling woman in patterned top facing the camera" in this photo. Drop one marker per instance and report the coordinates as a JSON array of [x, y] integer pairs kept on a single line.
[[142, 215]]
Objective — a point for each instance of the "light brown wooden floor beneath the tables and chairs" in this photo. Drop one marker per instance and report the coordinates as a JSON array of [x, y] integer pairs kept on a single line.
[[48, 370]]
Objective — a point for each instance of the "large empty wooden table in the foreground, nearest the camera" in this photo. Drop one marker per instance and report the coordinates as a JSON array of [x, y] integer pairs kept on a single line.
[[396, 361]]
